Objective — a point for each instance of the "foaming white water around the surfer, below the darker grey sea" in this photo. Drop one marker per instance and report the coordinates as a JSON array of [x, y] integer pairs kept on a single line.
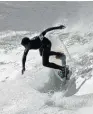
[[39, 91]]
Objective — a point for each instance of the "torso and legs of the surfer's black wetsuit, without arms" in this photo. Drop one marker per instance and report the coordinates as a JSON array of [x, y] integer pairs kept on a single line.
[[44, 47]]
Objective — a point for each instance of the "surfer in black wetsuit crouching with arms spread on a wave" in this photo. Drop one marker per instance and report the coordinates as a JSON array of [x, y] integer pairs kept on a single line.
[[44, 45]]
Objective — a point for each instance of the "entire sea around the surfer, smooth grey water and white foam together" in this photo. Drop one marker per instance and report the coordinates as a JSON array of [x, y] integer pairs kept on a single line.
[[39, 91]]
